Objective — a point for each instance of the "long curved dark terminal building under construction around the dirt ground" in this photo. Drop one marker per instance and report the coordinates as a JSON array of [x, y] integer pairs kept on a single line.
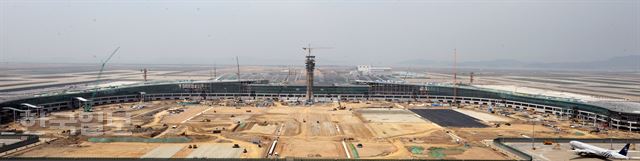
[[618, 115]]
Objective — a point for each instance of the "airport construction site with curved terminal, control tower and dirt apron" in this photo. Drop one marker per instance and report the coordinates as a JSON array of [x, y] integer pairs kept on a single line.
[[297, 119]]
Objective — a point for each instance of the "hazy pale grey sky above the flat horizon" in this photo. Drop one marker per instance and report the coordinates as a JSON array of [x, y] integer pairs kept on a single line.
[[358, 31]]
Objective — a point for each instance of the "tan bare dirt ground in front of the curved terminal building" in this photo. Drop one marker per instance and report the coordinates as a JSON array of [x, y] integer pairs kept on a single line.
[[384, 129]]
